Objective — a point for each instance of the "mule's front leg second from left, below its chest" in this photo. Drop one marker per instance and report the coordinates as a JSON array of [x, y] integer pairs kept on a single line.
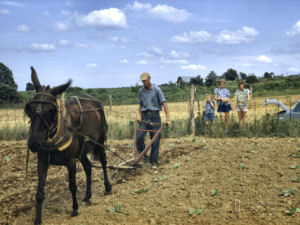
[[72, 185]]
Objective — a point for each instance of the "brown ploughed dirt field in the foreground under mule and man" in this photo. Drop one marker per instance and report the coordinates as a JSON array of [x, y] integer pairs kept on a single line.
[[248, 196]]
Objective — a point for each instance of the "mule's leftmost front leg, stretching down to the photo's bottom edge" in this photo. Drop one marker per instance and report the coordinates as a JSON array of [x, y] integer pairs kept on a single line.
[[42, 168]]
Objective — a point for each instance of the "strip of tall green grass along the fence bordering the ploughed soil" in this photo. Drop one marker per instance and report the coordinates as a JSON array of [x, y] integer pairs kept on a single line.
[[267, 126]]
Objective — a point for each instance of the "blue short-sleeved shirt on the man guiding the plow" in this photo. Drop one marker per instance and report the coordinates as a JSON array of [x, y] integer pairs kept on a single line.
[[151, 99]]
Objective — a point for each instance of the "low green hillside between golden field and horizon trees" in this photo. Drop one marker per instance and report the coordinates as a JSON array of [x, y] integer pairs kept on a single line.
[[278, 86]]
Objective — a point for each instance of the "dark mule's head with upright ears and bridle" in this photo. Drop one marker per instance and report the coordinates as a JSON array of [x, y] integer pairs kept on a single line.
[[42, 111]]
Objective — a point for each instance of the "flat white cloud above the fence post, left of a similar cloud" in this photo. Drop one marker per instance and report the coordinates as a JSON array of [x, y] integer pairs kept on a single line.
[[193, 37]]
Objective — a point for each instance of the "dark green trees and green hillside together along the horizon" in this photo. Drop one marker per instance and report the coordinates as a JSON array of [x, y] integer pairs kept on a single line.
[[175, 91]]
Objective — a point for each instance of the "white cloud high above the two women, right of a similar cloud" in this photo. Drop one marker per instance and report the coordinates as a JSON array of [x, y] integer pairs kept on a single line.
[[245, 34]]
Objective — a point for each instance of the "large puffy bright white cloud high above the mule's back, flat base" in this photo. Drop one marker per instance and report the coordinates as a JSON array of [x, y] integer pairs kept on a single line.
[[112, 17]]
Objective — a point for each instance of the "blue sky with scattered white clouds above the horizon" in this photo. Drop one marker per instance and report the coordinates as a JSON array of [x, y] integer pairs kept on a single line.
[[108, 43]]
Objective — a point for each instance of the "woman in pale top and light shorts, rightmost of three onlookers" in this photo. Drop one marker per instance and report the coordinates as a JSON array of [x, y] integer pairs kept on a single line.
[[242, 95]]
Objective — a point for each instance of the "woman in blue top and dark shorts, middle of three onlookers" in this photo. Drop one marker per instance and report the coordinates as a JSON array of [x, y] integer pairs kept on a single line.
[[222, 97]]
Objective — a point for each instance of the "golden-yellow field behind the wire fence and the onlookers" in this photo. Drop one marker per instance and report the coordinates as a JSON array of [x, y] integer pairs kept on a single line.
[[178, 110]]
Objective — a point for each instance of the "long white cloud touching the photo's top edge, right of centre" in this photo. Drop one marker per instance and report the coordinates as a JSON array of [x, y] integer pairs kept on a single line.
[[164, 12]]
